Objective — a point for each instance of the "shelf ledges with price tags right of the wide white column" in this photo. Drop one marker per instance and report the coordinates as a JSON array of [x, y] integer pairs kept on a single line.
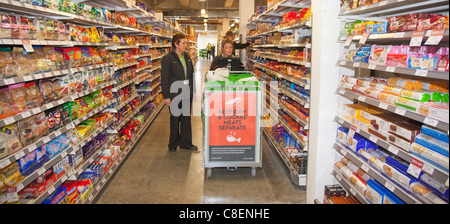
[[378, 12]]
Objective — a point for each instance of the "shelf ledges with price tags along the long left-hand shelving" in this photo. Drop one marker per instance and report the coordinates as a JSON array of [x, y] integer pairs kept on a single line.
[[109, 127]]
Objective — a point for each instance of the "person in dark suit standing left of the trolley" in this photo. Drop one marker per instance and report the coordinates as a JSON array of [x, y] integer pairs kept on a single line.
[[178, 89]]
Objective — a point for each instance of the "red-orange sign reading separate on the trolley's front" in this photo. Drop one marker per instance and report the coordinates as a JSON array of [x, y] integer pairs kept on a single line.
[[232, 126]]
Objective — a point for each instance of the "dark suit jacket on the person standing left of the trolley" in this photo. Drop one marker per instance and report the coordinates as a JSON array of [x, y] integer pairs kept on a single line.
[[172, 70]]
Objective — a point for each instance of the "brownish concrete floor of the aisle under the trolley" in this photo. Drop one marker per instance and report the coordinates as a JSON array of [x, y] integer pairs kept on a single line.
[[153, 175]]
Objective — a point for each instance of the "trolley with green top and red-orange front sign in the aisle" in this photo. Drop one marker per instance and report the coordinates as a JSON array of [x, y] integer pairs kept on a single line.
[[231, 124]]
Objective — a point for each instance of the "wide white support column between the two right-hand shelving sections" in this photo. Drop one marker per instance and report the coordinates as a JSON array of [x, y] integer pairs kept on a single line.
[[324, 103]]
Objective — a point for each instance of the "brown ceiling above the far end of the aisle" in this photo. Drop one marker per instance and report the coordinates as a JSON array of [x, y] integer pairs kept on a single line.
[[187, 12]]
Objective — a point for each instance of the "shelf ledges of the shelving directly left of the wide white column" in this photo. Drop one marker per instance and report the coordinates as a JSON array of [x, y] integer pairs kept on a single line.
[[262, 54]]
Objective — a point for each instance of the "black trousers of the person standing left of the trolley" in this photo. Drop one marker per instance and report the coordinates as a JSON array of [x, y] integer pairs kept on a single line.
[[181, 128]]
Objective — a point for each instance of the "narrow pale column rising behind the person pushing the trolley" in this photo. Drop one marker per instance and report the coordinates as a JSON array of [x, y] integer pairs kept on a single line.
[[246, 10]]
